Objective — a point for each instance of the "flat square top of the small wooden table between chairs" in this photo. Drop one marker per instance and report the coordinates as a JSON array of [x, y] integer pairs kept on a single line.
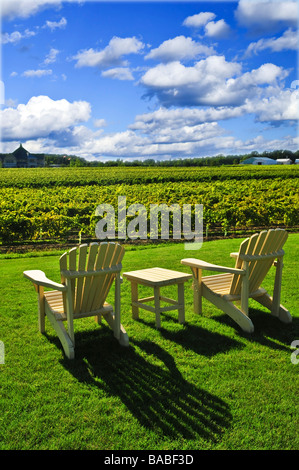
[[157, 276]]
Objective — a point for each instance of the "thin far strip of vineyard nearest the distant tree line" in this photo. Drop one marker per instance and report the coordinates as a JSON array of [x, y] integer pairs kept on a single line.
[[62, 177]]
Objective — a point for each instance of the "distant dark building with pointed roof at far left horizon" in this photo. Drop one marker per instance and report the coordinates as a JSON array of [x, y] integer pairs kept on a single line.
[[21, 158]]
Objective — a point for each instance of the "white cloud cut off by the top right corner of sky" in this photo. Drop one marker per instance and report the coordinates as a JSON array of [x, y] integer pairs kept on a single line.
[[267, 14]]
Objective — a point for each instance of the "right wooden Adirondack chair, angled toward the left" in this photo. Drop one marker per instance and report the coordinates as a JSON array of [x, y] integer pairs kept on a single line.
[[253, 261]]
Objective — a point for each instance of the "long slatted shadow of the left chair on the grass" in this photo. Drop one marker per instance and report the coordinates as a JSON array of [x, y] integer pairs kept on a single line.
[[145, 378]]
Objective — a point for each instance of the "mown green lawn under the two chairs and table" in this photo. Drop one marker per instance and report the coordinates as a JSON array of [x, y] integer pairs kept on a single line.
[[202, 385]]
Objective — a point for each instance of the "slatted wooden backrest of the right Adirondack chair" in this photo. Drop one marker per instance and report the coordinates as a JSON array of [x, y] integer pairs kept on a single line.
[[259, 251]]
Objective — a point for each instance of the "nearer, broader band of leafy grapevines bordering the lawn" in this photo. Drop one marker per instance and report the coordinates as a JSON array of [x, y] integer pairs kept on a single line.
[[50, 212]]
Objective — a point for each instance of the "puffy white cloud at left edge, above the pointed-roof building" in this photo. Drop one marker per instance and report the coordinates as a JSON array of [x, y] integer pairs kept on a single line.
[[41, 116]]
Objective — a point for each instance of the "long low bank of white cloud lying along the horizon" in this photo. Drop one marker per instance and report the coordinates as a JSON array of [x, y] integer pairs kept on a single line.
[[127, 145]]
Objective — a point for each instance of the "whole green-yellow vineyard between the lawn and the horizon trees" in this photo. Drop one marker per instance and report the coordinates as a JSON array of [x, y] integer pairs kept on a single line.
[[59, 203]]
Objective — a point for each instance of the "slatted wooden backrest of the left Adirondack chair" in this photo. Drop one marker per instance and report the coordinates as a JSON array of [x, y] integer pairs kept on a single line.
[[90, 271]]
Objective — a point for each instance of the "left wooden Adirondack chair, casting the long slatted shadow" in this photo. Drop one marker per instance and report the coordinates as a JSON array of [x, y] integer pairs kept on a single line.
[[87, 274]]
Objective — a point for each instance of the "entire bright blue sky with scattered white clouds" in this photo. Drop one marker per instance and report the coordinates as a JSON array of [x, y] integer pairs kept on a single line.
[[109, 80]]
